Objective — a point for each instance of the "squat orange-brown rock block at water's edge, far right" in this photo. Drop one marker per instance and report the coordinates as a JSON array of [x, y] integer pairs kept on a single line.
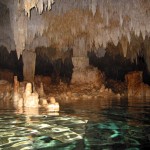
[[136, 87]]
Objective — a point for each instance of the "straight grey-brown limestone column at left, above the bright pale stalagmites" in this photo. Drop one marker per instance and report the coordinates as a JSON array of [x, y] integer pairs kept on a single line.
[[29, 60]]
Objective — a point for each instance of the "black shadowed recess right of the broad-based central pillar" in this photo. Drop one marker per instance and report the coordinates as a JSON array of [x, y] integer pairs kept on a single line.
[[115, 66]]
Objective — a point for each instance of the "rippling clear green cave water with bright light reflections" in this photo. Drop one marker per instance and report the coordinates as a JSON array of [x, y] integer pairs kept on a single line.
[[81, 125]]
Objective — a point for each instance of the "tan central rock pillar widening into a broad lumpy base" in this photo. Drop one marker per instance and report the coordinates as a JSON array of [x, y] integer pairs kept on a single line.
[[83, 73]]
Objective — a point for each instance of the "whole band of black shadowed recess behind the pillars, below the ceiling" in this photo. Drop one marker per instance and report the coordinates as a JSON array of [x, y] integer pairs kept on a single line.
[[115, 67]]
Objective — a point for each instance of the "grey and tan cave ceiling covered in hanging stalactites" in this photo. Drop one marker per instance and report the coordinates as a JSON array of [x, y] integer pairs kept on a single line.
[[77, 24]]
